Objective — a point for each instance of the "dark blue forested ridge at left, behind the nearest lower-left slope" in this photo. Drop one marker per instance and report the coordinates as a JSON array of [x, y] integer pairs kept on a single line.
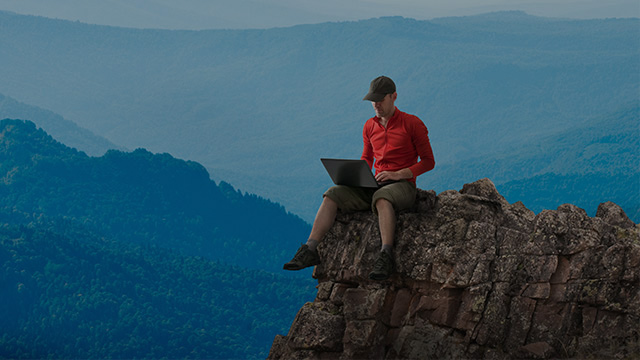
[[141, 198]]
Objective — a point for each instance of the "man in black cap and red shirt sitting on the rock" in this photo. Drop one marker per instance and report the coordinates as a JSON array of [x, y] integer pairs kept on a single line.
[[399, 143]]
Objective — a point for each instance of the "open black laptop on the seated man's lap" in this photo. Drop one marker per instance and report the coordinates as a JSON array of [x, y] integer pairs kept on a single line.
[[351, 173]]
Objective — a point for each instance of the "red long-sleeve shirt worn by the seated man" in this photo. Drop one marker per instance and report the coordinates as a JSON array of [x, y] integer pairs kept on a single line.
[[399, 145]]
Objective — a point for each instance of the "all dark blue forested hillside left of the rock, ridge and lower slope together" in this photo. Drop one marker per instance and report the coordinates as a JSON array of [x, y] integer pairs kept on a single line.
[[133, 255]]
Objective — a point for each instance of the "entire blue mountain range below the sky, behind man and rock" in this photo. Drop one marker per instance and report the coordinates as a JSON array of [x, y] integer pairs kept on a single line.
[[109, 252]]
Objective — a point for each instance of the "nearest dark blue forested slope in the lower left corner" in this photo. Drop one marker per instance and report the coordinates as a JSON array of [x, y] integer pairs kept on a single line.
[[78, 295]]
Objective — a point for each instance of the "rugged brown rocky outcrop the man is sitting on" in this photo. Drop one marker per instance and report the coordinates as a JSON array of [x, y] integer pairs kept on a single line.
[[476, 277]]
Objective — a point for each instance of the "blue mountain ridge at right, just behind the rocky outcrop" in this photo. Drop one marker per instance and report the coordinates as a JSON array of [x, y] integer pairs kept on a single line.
[[592, 163]]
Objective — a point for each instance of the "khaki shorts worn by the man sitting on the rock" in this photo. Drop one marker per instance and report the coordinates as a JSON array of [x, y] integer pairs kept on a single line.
[[401, 194]]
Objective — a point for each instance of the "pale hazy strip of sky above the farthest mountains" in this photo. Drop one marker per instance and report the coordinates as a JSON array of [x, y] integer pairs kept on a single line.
[[238, 14]]
